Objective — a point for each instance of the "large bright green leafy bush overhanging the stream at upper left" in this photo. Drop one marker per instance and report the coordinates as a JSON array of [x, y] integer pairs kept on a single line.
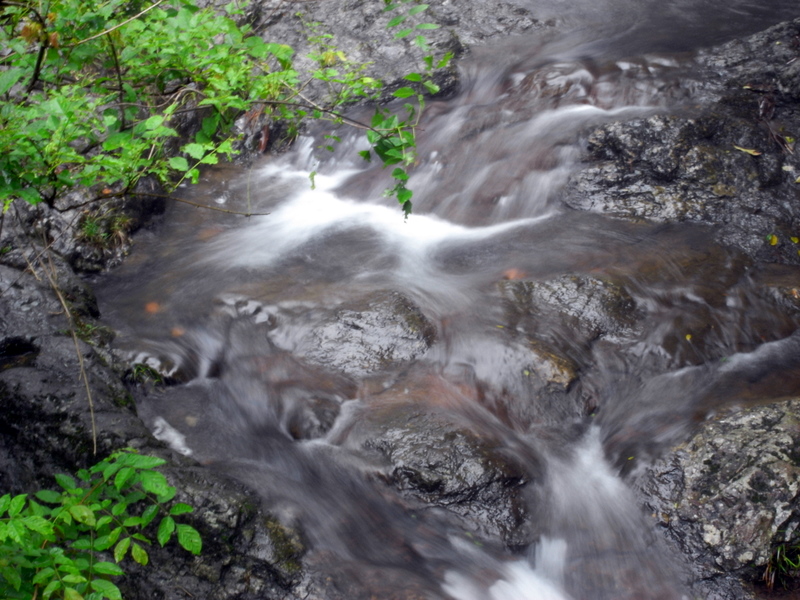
[[92, 92]]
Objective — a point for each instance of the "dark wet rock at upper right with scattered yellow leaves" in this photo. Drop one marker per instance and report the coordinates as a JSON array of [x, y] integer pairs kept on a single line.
[[731, 165]]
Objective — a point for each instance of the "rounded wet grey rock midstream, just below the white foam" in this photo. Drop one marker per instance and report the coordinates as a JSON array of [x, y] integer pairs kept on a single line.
[[365, 337]]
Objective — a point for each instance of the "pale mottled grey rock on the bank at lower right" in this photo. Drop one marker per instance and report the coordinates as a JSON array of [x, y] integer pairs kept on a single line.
[[729, 496]]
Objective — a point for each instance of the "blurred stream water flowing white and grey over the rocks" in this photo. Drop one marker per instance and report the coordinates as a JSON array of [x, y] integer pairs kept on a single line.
[[238, 309]]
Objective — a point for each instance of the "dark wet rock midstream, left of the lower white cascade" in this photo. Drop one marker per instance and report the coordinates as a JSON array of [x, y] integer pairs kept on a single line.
[[443, 463]]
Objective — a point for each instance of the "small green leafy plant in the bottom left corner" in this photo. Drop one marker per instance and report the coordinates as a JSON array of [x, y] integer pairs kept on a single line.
[[68, 543]]
